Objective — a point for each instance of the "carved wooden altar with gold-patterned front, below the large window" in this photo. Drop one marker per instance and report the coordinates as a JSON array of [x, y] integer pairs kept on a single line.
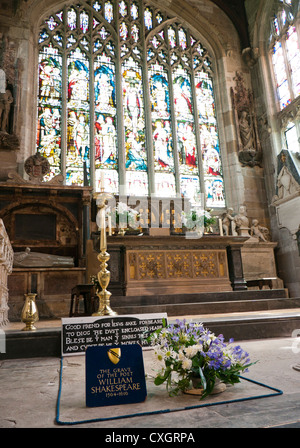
[[165, 265]]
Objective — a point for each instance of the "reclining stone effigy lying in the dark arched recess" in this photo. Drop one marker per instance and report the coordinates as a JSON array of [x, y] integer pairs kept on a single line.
[[36, 259]]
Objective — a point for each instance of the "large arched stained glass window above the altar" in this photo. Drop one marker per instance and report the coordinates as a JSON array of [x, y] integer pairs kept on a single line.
[[116, 110]]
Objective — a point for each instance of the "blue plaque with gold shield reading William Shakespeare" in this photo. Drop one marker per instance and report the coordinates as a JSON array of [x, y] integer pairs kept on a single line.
[[114, 375]]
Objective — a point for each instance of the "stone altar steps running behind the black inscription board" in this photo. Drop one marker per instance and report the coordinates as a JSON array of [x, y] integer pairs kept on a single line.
[[247, 315]]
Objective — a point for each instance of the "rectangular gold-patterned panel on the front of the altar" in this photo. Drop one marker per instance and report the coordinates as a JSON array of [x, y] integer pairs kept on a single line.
[[170, 271]]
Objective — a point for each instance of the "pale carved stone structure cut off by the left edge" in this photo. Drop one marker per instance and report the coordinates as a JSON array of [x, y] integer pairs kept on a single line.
[[6, 263]]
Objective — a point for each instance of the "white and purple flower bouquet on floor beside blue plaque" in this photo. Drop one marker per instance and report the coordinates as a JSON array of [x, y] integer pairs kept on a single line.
[[188, 350]]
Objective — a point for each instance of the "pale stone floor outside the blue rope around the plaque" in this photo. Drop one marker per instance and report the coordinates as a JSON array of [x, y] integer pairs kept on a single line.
[[29, 392]]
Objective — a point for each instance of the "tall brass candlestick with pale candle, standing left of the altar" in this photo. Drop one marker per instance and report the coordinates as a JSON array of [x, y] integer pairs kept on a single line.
[[104, 308]]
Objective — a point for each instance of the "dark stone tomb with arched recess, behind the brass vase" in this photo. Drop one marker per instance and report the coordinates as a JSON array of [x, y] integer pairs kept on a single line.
[[51, 221]]
